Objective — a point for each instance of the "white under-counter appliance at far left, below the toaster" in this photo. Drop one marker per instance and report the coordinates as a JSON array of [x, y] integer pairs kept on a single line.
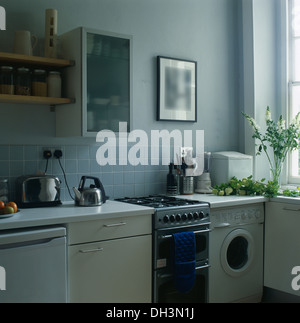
[[33, 265]]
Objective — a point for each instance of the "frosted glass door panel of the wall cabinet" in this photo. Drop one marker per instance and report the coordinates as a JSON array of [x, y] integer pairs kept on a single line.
[[108, 80]]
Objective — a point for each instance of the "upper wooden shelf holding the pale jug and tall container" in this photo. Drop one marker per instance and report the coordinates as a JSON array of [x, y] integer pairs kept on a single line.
[[35, 60]]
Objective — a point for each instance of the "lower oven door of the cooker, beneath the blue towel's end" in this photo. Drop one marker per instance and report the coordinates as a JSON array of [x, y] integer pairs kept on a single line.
[[165, 291]]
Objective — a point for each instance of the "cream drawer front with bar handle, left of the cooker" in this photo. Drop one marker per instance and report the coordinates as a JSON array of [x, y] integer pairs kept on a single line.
[[97, 230]]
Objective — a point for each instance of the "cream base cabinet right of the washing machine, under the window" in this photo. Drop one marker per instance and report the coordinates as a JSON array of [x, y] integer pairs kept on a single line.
[[282, 246]]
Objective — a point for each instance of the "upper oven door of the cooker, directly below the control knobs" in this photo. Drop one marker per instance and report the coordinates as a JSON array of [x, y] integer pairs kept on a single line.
[[164, 245]]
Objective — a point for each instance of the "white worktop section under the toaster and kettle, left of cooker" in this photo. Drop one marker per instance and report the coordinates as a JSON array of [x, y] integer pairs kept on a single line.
[[68, 212]]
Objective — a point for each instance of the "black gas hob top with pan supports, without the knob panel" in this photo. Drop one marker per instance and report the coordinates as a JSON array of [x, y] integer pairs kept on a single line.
[[161, 201]]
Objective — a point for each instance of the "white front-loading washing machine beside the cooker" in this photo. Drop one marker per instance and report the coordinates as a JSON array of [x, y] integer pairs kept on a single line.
[[236, 254]]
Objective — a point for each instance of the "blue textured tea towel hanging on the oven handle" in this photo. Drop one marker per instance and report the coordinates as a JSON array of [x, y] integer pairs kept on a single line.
[[184, 261]]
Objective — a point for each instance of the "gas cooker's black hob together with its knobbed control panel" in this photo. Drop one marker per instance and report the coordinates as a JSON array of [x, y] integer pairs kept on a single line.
[[171, 211]]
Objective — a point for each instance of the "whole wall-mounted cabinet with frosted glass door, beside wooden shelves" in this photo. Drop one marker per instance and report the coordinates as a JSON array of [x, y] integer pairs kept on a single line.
[[100, 82]]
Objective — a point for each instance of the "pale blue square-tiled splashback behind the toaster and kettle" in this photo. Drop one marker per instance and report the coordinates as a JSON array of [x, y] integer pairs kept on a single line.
[[78, 160]]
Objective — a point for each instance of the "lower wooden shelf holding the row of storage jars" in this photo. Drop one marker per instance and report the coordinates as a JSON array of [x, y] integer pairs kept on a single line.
[[6, 98]]
